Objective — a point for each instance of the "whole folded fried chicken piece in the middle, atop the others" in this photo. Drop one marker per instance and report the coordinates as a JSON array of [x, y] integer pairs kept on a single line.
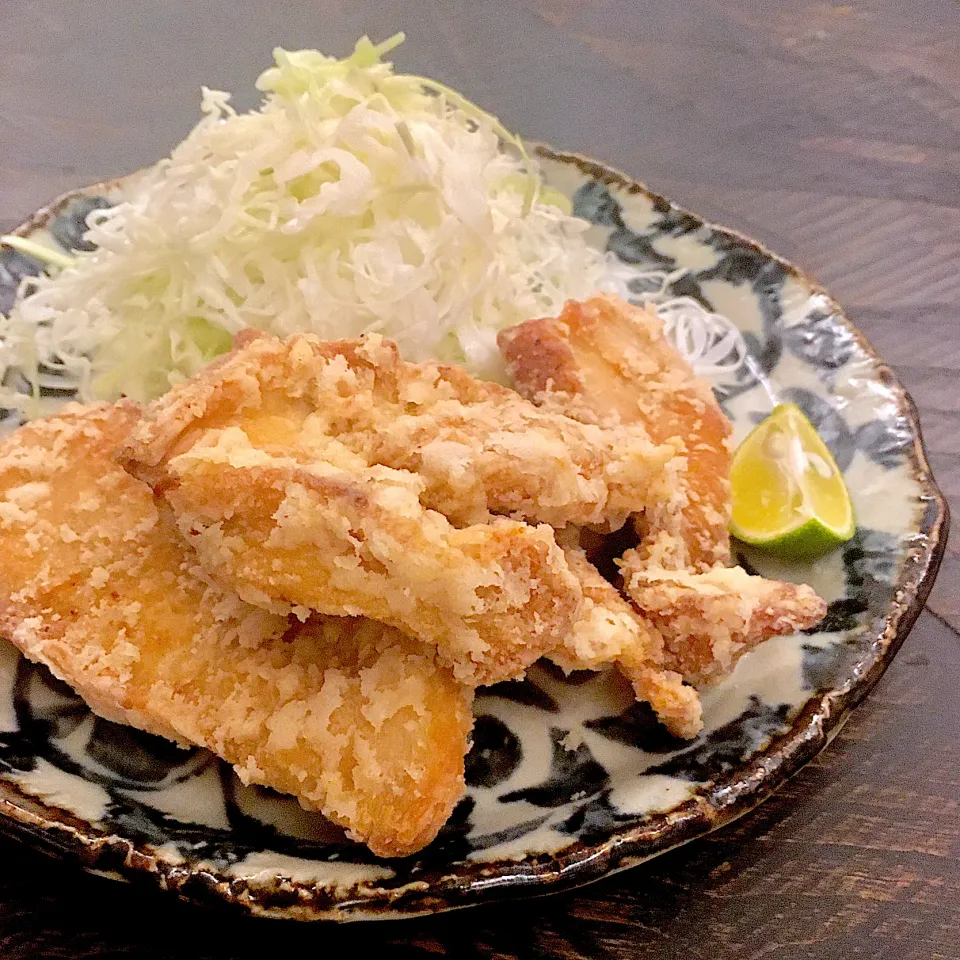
[[337, 477]]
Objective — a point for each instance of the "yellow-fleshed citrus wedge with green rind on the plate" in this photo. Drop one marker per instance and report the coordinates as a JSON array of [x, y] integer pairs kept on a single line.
[[788, 493]]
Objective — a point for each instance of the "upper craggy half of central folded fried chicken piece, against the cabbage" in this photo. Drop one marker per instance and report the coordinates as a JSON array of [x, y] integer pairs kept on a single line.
[[477, 448]]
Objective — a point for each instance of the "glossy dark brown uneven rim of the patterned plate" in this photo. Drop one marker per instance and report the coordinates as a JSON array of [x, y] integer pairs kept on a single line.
[[730, 796]]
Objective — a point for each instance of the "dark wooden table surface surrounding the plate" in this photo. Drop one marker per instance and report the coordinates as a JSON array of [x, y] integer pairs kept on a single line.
[[831, 132]]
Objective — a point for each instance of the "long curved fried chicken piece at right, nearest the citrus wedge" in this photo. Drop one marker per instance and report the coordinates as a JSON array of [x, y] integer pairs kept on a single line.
[[605, 361]]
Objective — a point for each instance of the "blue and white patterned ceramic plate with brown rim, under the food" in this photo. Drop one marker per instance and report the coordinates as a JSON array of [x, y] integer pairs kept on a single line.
[[568, 778]]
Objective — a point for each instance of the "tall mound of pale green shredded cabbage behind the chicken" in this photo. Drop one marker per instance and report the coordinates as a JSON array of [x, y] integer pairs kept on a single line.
[[354, 199]]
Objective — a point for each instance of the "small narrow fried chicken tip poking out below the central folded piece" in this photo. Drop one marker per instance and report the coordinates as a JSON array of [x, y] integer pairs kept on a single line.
[[609, 631]]
